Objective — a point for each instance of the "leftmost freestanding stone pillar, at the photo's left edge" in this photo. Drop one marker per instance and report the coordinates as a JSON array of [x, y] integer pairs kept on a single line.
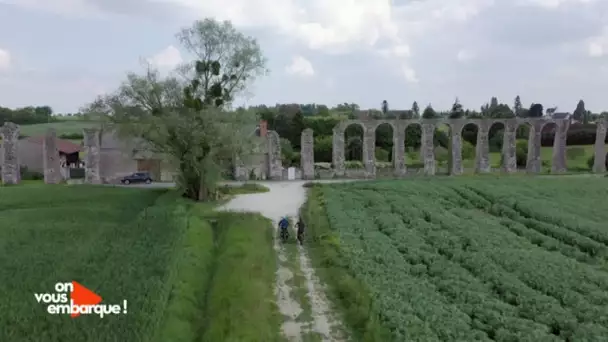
[[10, 154]]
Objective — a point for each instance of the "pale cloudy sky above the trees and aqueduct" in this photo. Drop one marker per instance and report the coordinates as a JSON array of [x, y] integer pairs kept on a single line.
[[63, 53]]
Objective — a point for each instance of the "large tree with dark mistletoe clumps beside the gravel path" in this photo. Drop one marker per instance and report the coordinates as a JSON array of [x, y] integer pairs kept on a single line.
[[186, 119]]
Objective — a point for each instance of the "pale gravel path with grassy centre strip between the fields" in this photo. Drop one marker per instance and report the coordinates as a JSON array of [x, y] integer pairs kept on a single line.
[[286, 198]]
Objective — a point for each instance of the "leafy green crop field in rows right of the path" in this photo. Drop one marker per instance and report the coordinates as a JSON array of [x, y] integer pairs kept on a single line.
[[476, 259]]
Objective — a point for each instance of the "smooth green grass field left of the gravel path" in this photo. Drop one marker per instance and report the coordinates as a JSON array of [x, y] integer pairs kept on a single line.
[[178, 264]]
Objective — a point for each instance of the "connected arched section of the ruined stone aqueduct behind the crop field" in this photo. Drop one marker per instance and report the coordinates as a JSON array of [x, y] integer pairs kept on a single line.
[[482, 153]]
